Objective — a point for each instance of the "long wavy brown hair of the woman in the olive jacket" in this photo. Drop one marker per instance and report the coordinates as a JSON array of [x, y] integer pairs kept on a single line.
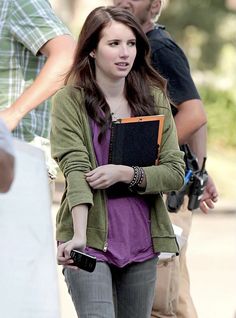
[[139, 80]]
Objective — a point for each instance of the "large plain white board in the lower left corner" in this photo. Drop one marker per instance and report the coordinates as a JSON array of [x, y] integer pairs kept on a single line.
[[28, 276]]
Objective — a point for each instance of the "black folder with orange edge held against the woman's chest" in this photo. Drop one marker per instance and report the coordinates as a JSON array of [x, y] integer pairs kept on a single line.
[[135, 141]]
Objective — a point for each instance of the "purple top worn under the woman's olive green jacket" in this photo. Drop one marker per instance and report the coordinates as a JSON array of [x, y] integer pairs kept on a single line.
[[129, 234]]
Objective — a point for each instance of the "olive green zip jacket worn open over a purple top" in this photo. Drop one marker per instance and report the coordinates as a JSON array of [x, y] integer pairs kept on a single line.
[[72, 148]]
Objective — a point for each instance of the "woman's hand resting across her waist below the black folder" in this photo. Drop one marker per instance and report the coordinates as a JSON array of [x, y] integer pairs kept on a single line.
[[103, 177]]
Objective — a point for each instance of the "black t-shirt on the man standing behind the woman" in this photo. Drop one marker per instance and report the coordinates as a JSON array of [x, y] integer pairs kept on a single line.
[[170, 61]]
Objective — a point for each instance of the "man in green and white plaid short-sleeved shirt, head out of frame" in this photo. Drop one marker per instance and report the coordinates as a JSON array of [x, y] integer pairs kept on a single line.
[[36, 50]]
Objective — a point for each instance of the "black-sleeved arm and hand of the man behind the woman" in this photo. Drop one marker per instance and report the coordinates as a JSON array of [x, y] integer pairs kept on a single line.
[[191, 118]]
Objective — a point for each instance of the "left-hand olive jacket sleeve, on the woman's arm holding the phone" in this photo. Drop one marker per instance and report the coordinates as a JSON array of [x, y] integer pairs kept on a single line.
[[69, 149]]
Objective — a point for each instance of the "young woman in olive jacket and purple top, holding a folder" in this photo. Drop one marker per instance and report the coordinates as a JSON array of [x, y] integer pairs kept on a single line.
[[111, 78]]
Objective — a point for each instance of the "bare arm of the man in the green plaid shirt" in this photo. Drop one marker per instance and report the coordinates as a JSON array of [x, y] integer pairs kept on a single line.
[[59, 52]]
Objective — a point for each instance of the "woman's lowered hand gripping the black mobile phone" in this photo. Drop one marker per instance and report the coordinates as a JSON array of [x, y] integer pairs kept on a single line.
[[64, 249]]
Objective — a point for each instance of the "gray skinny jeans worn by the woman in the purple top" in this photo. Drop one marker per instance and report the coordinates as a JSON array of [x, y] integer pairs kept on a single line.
[[112, 292]]
